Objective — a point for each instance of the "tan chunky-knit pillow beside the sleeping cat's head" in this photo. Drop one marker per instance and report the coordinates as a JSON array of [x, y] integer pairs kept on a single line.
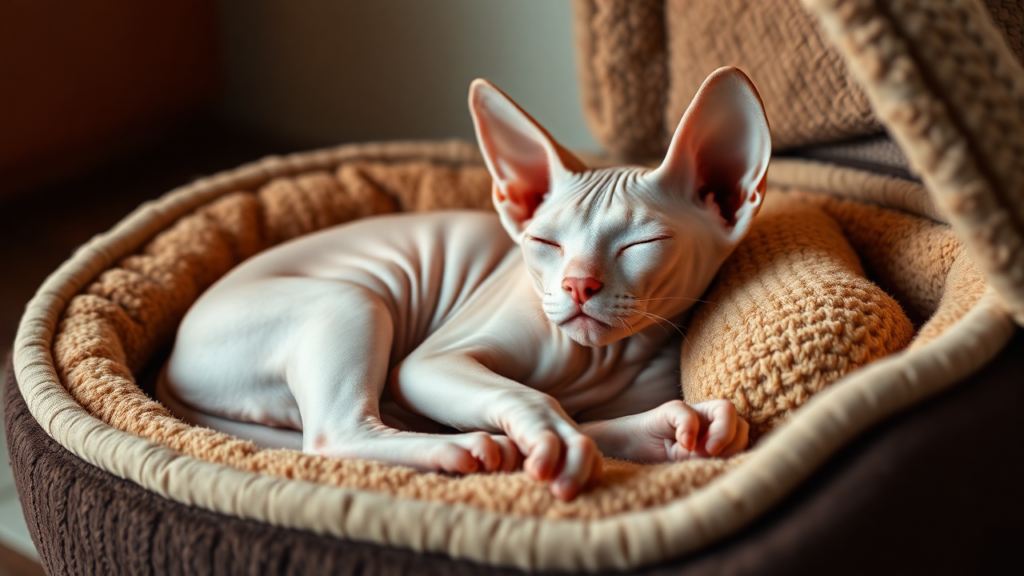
[[790, 313]]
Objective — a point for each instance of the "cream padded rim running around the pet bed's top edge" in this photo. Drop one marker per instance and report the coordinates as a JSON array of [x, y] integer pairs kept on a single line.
[[780, 464]]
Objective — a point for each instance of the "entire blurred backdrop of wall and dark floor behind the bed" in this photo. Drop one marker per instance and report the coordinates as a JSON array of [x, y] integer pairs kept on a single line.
[[106, 104]]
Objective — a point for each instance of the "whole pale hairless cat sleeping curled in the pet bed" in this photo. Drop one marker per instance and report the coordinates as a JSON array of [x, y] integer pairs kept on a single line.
[[541, 333]]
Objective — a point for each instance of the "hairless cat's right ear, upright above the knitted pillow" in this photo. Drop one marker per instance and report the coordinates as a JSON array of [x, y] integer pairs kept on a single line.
[[719, 155]]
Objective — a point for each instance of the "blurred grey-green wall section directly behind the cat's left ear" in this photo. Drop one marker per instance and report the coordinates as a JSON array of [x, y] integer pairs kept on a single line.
[[318, 73]]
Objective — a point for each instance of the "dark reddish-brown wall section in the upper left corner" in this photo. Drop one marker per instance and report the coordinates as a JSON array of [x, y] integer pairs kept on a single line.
[[84, 85]]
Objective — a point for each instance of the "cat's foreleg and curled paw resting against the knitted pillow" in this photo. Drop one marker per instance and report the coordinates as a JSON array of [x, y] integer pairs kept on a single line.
[[674, 432]]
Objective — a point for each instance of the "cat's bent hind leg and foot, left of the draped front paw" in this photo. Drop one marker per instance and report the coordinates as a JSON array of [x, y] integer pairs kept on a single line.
[[337, 372]]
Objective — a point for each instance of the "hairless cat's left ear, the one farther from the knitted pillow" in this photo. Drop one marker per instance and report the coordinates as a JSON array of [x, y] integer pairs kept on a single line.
[[523, 158]]
